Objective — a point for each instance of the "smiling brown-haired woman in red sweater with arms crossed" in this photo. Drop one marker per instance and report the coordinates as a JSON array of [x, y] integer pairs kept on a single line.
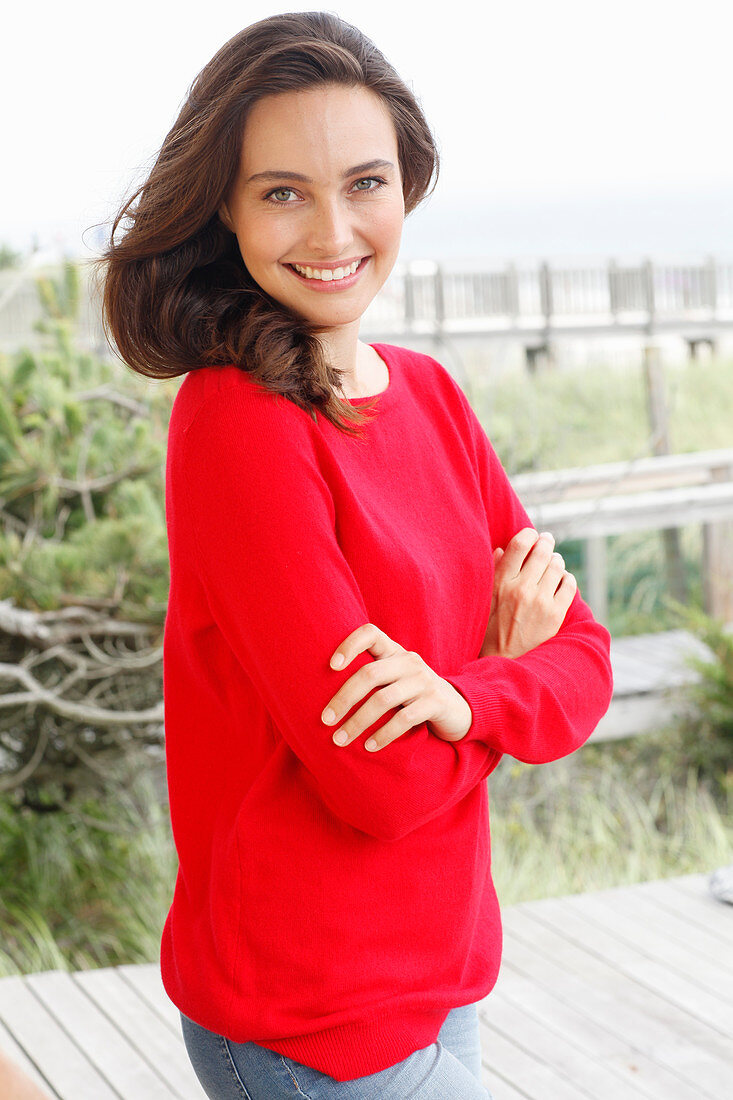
[[334, 922]]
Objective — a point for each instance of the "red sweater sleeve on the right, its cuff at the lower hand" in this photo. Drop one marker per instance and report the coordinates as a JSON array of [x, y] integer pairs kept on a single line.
[[545, 705]]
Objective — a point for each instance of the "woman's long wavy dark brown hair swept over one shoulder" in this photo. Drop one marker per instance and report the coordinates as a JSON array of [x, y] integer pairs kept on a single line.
[[177, 294]]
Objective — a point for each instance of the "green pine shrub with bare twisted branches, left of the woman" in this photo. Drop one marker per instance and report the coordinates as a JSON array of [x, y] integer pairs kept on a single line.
[[84, 565]]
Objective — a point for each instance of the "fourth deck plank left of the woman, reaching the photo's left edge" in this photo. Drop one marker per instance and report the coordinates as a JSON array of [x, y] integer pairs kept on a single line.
[[70, 1075]]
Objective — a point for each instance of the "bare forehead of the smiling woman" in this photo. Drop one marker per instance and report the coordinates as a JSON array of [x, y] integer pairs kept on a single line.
[[325, 126]]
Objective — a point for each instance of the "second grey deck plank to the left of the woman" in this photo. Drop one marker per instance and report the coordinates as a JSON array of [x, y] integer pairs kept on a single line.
[[144, 1028]]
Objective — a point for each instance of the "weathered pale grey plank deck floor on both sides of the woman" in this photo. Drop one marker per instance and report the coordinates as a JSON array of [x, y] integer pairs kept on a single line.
[[616, 995]]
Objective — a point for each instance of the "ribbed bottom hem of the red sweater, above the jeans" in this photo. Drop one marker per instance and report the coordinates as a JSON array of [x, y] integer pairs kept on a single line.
[[358, 1050]]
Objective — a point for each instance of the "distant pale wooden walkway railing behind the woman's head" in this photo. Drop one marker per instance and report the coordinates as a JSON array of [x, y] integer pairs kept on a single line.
[[531, 302]]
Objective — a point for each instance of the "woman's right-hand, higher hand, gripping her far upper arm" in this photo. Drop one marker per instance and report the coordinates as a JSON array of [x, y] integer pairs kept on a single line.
[[532, 595]]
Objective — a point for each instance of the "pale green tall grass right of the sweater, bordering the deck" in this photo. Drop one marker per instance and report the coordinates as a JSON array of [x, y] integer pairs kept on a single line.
[[583, 823]]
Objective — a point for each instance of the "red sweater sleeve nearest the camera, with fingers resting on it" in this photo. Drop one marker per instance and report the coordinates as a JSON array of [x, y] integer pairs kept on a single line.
[[285, 597]]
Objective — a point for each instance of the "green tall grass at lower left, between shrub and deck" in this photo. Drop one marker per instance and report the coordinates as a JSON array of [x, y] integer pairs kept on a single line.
[[87, 888]]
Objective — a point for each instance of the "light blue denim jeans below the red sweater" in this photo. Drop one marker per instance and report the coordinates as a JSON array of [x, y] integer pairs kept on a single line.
[[448, 1070]]
